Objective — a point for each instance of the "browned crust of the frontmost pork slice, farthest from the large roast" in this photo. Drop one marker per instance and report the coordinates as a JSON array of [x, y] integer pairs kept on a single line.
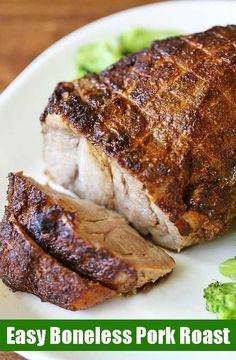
[[24, 266]]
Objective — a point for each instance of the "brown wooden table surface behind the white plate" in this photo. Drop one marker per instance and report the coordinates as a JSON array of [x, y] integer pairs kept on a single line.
[[28, 27]]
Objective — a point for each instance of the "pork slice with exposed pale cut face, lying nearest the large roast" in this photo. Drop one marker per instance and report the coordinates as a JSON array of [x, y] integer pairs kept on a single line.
[[87, 238]]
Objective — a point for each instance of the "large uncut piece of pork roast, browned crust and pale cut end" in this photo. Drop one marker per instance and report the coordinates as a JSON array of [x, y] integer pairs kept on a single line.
[[153, 137]]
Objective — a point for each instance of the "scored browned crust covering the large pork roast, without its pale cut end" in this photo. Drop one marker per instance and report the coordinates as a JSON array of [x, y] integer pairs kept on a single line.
[[167, 115]]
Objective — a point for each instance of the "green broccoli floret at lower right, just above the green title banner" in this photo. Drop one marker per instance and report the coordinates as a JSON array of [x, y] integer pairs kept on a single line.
[[221, 299]]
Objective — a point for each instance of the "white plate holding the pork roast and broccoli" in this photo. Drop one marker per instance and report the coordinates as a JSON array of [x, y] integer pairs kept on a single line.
[[20, 148]]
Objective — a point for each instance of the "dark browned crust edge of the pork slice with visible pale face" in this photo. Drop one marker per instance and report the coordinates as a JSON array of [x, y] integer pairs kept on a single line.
[[54, 229]]
